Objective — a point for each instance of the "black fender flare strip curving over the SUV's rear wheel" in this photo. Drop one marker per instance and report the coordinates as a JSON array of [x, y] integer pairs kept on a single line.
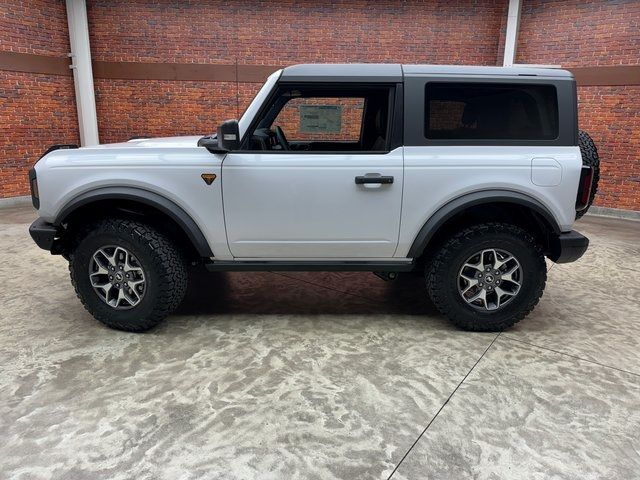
[[460, 204]]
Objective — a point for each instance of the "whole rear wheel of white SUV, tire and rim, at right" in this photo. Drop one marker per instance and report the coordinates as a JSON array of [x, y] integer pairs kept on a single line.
[[487, 277]]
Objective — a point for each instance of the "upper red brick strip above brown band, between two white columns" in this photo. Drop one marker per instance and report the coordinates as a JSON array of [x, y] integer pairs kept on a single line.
[[283, 32]]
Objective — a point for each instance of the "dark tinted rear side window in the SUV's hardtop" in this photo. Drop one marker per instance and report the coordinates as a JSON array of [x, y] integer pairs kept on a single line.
[[490, 111]]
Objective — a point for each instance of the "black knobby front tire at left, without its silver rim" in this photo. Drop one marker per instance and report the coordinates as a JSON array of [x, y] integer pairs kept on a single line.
[[164, 266]]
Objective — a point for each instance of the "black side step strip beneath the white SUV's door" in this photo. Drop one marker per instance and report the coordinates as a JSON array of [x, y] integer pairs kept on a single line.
[[311, 266]]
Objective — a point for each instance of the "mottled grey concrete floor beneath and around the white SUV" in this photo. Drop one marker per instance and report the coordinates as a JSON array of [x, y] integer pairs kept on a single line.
[[321, 376]]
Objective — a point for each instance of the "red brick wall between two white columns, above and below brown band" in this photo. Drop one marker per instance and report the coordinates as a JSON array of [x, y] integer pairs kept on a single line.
[[265, 33]]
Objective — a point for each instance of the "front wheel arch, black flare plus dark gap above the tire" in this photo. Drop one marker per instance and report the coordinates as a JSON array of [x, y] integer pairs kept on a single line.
[[140, 201]]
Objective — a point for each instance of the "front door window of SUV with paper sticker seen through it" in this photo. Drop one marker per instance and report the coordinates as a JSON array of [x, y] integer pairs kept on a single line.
[[310, 118]]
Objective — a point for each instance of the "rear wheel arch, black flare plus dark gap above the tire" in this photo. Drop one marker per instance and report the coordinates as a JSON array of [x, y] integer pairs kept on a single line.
[[511, 202]]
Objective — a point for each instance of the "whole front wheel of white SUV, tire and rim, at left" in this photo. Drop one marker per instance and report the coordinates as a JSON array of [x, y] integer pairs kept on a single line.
[[127, 274]]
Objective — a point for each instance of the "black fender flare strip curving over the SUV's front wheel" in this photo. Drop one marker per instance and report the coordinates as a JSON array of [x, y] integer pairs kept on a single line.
[[163, 204]]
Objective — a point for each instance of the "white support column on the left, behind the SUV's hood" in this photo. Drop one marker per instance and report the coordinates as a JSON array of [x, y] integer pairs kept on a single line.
[[82, 72]]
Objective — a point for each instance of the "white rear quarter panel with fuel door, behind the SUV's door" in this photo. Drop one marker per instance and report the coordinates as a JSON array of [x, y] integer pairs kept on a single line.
[[436, 175]]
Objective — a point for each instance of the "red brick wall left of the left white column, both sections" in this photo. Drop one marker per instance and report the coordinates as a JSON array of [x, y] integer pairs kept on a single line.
[[35, 110]]
